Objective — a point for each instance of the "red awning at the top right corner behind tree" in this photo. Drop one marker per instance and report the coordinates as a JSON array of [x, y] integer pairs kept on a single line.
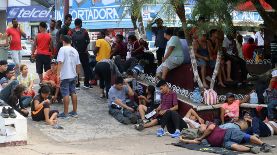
[[248, 6]]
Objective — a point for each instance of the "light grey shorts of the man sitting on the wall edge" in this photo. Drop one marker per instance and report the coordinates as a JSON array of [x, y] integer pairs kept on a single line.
[[170, 63]]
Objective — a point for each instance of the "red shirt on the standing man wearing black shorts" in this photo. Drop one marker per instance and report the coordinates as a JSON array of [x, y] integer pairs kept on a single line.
[[43, 42]]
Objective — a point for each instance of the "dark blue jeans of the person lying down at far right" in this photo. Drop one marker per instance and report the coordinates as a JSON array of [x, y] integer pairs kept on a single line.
[[258, 127]]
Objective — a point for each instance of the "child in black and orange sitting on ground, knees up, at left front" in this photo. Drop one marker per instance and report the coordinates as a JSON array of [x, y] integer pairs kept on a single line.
[[41, 107]]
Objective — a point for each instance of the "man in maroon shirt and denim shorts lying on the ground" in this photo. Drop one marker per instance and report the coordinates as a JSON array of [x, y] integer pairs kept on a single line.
[[228, 138]]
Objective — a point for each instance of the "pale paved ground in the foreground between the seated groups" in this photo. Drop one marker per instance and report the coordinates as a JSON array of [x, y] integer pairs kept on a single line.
[[95, 132]]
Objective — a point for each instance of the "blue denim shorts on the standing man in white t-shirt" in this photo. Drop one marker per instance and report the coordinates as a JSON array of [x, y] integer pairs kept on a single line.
[[68, 87]]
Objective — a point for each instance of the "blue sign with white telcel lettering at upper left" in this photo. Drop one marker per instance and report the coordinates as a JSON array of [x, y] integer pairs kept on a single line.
[[29, 13]]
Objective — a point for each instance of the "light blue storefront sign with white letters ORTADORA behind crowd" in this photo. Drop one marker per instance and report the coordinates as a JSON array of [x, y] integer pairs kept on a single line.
[[103, 14]]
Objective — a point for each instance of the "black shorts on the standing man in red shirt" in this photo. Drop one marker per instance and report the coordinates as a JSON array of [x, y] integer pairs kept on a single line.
[[43, 62]]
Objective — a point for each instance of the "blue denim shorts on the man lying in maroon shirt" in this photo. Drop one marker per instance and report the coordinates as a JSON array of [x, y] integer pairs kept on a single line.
[[234, 136]]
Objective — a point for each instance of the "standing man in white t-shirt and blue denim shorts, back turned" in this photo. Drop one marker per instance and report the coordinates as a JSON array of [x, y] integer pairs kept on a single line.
[[68, 69]]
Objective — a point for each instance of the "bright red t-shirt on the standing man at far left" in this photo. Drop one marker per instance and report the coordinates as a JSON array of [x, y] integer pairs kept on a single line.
[[16, 38]]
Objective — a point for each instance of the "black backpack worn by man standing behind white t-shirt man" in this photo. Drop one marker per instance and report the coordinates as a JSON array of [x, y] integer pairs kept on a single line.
[[79, 40]]
